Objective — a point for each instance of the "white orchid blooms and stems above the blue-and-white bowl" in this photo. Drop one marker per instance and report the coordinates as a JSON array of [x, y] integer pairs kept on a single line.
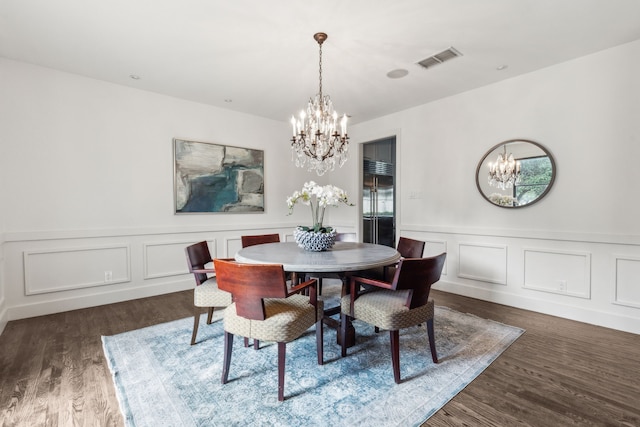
[[318, 197]]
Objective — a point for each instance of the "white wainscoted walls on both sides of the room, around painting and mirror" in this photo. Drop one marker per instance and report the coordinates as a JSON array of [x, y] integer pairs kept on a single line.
[[87, 169]]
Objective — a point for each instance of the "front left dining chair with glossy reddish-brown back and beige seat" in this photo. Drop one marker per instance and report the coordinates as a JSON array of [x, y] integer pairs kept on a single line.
[[265, 309]]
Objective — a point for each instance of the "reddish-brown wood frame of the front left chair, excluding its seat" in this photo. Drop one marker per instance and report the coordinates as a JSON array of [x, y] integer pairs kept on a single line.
[[250, 284]]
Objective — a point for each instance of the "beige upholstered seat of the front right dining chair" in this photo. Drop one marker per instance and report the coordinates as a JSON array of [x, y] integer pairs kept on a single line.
[[386, 309]]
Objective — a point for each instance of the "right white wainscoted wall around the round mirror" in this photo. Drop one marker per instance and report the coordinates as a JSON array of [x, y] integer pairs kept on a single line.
[[584, 233]]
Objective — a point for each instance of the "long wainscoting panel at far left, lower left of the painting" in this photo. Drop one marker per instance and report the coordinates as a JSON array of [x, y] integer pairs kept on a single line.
[[54, 270]]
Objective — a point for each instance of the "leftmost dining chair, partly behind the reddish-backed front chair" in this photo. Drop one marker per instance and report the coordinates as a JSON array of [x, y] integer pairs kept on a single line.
[[206, 292]]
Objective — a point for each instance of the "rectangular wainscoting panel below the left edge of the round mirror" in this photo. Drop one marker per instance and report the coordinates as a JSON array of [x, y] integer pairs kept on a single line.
[[487, 263]]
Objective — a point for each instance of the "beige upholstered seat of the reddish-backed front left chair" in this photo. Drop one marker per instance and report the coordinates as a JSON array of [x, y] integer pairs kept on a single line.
[[286, 320]]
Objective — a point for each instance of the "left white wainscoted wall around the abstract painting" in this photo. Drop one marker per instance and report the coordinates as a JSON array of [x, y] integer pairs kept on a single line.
[[87, 187]]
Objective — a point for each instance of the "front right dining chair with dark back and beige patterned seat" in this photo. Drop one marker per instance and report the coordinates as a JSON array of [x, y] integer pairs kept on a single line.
[[401, 303]]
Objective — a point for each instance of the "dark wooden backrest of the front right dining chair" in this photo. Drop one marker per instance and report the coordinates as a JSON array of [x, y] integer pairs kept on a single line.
[[417, 275]]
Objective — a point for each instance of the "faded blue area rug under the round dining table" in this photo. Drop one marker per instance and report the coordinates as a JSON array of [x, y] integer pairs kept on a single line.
[[161, 380]]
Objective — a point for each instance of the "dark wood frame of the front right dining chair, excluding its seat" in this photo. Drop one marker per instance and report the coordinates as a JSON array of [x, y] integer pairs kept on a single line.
[[413, 274]]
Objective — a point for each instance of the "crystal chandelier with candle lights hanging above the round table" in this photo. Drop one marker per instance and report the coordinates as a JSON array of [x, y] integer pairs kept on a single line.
[[317, 141]]
